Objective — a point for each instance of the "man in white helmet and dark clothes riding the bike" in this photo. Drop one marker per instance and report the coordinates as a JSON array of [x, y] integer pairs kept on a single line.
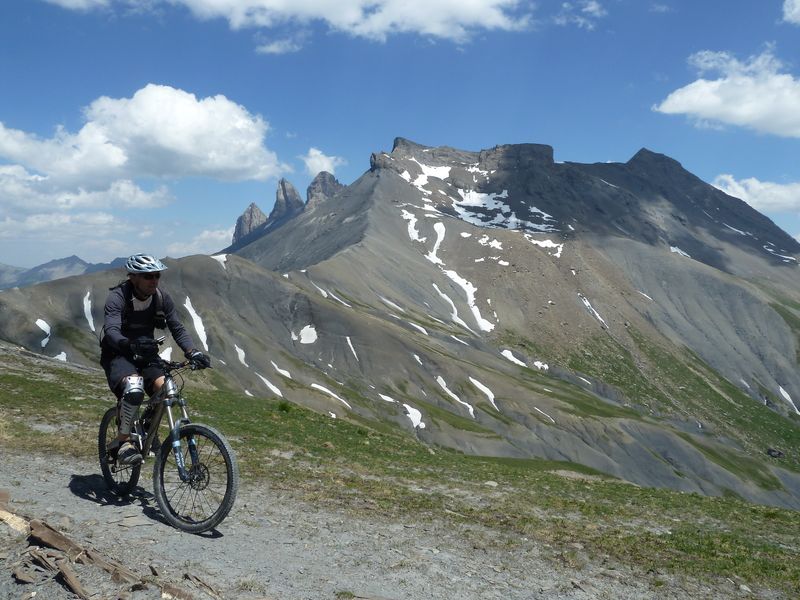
[[133, 309]]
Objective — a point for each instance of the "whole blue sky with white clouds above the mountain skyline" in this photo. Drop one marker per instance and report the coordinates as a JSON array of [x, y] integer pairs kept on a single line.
[[149, 126]]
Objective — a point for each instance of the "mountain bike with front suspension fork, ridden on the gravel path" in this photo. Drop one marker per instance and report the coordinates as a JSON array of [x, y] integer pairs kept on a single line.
[[195, 473]]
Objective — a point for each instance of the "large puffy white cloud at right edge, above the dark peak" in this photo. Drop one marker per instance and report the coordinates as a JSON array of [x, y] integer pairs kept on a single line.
[[755, 94]]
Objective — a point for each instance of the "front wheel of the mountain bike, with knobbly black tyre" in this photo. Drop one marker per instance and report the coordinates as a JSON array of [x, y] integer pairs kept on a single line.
[[201, 499]]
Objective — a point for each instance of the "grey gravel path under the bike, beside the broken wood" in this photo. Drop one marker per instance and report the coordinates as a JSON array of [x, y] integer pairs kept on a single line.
[[274, 546]]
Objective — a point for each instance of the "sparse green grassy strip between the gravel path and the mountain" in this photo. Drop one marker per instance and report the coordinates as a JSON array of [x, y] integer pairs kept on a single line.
[[578, 516]]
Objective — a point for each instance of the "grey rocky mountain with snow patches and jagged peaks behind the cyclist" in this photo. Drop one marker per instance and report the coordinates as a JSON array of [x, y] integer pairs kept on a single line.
[[625, 316]]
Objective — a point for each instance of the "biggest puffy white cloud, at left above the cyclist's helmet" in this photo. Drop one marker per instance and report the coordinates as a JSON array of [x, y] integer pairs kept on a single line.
[[159, 132]]
